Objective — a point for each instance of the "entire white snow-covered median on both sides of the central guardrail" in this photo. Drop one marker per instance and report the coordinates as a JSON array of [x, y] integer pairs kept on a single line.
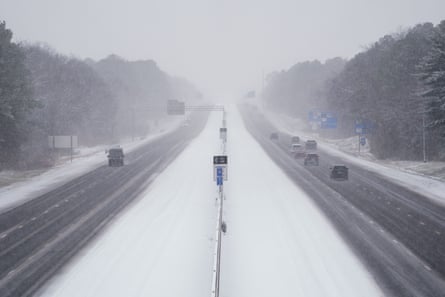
[[278, 243]]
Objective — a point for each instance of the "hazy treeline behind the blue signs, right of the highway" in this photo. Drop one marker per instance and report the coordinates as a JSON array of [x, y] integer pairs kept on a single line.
[[397, 83]]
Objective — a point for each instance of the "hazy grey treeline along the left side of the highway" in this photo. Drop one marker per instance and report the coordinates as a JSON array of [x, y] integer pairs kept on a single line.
[[45, 93]]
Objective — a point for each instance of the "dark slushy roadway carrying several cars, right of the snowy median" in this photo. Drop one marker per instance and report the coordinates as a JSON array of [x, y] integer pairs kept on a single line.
[[396, 232]]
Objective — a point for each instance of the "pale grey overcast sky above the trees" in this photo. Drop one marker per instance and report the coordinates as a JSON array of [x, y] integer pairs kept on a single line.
[[223, 46]]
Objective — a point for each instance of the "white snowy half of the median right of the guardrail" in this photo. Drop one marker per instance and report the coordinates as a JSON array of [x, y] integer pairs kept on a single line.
[[278, 243]]
